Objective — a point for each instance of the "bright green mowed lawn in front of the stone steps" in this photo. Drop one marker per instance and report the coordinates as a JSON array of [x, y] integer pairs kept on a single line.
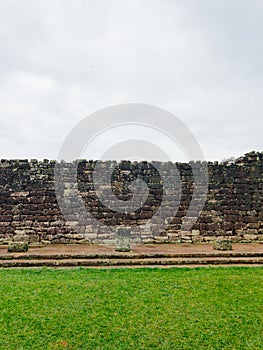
[[203, 308]]
